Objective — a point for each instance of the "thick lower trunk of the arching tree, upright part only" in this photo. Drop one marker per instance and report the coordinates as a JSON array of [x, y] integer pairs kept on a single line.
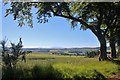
[[103, 49]]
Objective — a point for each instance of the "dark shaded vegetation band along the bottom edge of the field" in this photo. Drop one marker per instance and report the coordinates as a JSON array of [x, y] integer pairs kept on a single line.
[[45, 73]]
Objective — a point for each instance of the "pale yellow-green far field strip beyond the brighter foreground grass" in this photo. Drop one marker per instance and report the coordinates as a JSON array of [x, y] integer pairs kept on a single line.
[[45, 58]]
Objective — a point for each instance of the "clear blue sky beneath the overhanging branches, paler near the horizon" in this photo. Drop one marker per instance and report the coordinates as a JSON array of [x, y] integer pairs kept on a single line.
[[57, 33]]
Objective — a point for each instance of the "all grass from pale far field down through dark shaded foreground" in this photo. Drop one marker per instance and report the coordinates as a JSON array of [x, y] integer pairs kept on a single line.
[[60, 67]]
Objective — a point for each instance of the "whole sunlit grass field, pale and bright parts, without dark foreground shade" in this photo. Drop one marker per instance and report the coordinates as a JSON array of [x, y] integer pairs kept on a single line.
[[69, 66]]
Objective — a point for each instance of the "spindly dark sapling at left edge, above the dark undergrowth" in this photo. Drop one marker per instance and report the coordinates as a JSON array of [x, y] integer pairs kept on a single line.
[[10, 55]]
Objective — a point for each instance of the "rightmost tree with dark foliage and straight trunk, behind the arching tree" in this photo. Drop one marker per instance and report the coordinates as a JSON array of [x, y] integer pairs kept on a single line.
[[112, 21]]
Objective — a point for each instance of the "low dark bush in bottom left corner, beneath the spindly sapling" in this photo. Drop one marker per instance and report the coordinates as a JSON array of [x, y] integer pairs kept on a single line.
[[16, 74]]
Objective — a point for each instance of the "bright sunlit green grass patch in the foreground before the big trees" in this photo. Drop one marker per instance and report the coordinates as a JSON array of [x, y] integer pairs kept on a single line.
[[104, 67]]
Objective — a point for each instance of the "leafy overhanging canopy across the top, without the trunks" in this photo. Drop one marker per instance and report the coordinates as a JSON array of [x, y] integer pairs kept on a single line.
[[87, 14]]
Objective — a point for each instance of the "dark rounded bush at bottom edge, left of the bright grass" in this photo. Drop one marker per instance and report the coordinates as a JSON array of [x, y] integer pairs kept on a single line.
[[45, 73]]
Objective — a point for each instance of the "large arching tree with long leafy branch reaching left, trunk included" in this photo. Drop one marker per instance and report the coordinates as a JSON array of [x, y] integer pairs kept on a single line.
[[86, 15]]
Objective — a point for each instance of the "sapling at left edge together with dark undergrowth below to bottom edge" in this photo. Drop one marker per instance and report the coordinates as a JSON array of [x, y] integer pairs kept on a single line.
[[10, 58]]
